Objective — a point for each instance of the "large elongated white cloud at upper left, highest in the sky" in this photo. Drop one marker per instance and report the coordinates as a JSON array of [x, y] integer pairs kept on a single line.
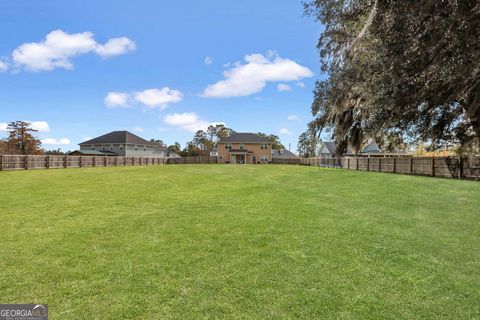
[[59, 47]]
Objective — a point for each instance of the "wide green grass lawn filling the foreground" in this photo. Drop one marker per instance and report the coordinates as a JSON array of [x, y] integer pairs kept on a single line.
[[224, 241]]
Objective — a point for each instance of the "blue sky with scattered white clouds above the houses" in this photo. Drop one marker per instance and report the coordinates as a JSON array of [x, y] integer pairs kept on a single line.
[[156, 68]]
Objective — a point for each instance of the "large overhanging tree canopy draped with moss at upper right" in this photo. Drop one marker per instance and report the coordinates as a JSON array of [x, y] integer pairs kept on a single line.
[[407, 71]]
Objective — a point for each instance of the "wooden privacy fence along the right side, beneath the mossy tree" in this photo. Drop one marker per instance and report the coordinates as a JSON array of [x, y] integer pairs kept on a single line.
[[446, 167]]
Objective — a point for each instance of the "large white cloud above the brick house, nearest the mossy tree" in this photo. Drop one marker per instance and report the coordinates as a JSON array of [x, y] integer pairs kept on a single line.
[[252, 77]]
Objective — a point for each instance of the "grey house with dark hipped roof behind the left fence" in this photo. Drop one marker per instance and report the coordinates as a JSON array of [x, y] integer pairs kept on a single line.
[[123, 143]]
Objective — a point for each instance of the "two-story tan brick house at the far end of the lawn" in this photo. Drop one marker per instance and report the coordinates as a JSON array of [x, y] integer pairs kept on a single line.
[[244, 148]]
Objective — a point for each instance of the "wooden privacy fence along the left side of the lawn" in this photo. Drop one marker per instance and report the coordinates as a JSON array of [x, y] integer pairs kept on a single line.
[[9, 162]]
